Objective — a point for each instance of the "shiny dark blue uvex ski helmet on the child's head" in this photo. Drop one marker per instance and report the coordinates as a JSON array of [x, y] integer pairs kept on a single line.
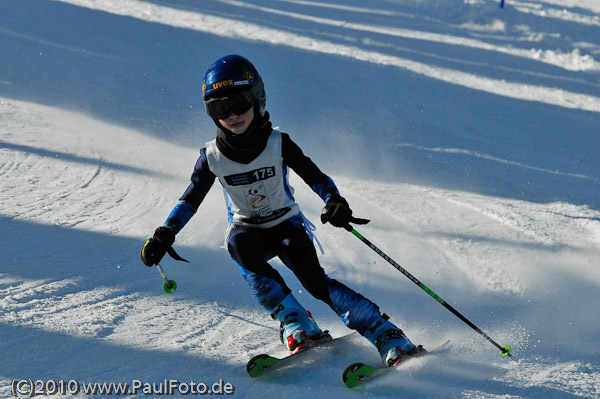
[[233, 74]]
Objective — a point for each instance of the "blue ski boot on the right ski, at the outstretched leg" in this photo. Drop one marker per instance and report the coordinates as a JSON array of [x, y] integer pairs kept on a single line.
[[390, 341]]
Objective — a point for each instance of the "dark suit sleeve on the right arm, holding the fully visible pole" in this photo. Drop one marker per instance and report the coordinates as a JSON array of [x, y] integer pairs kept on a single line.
[[306, 169]]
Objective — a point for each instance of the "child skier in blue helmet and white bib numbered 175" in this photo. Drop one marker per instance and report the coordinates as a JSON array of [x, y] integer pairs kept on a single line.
[[251, 161]]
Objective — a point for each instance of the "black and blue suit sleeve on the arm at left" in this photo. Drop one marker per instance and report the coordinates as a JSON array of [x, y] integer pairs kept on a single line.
[[201, 181]]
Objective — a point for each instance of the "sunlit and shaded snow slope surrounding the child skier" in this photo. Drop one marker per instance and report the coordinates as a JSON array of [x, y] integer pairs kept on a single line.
[[467, 133]]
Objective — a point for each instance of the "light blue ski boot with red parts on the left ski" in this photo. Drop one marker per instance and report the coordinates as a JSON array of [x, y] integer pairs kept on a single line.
[[297, 329]]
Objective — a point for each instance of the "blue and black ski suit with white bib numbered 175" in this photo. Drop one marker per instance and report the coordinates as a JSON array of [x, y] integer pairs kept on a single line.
[[265, 221]]
